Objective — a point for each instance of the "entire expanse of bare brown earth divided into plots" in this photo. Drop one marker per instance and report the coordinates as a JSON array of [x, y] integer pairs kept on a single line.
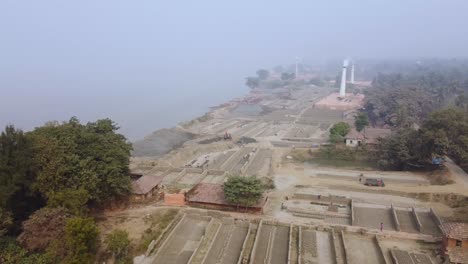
[[316, 200]]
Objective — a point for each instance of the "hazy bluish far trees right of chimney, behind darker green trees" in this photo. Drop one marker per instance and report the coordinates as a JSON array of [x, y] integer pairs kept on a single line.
[[400, 100]]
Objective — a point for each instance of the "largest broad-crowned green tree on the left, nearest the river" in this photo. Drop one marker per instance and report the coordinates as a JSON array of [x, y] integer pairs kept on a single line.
[[91, 159]]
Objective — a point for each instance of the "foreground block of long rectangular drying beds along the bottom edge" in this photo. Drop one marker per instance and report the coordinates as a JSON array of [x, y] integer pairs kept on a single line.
[[201, 236]]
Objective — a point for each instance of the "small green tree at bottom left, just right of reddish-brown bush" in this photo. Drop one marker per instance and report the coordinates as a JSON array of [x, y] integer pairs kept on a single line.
[[81, 240]]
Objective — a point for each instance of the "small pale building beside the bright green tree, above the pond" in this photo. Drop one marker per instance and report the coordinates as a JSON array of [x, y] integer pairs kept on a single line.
[[368, 136]]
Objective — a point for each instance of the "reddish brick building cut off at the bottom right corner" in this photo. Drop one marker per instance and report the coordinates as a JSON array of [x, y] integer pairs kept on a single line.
[[455, 242]]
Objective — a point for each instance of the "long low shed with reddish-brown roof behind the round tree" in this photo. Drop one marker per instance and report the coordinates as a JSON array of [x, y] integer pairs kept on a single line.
[[211, 196]]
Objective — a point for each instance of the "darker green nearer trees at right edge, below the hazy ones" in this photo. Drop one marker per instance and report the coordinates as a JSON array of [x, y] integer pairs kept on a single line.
[[443, 133]]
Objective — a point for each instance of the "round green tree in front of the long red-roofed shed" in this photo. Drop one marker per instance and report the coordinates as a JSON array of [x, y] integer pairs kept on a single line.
[[243, 191]]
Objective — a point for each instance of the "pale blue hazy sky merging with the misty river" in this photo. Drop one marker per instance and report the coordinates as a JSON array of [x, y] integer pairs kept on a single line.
[[150, 64]]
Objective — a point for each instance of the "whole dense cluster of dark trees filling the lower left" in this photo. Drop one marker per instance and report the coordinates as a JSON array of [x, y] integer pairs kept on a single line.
[[58, 171]]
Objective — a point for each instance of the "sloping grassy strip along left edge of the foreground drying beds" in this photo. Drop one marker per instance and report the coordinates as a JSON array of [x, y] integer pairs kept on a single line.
[[158, 222]]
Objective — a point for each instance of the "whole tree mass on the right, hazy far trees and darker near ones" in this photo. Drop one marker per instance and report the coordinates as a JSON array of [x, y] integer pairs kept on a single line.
[[426, 105]]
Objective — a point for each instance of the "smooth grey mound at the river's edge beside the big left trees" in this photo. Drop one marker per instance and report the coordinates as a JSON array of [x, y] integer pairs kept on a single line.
[[161, 142]]
